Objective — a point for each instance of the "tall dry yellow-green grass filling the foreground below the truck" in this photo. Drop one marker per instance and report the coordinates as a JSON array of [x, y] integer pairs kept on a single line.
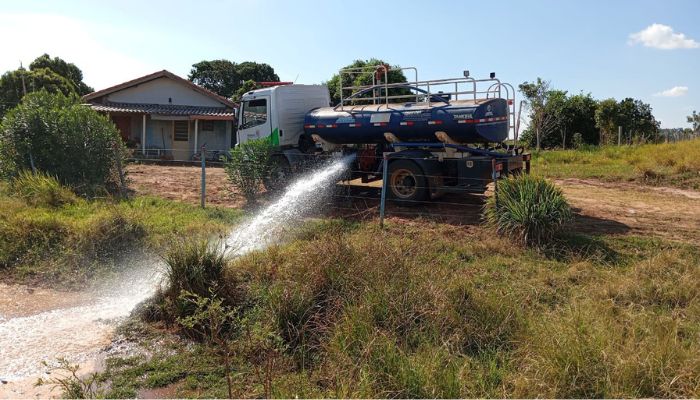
[[434, 310]]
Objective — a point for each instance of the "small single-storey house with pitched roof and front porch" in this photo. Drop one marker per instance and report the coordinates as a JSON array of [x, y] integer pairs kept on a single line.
[[162, 115]]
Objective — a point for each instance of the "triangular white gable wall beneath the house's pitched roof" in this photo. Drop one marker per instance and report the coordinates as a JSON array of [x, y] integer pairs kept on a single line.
[[159, 91]]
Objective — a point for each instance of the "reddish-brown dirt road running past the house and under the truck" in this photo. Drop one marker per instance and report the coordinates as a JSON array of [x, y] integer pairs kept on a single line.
[[616, 208]]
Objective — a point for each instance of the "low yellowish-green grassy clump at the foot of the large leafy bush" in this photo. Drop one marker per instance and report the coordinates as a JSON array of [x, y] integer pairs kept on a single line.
[[41, 189]]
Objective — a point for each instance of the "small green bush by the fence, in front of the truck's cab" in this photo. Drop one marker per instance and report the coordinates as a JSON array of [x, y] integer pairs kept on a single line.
[[250, 163]]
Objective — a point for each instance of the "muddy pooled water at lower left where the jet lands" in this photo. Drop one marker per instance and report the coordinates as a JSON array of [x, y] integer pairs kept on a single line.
[[38, 326]]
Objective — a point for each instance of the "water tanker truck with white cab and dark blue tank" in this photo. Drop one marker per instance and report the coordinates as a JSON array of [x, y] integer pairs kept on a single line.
[[437, 136]]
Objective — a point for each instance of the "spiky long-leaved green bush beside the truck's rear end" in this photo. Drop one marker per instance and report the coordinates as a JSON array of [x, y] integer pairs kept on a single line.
[[528, 209]]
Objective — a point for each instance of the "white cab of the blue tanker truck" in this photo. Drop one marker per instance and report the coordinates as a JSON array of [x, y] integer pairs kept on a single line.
[[278, 112]]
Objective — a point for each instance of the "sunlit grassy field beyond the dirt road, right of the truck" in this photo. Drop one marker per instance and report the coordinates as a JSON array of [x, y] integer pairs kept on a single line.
[[674, 164]]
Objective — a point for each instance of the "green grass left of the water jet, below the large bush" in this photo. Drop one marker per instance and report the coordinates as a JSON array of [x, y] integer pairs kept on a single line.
[[67, 242]]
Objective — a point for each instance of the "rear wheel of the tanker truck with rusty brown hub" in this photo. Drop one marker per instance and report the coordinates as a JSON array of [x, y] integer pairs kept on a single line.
[[407, 182]]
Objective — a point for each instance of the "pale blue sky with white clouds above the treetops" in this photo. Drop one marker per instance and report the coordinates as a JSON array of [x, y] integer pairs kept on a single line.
[[649, 50]]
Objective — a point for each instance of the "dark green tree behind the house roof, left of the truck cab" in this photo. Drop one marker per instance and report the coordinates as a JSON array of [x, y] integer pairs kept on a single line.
[[224, 77]]
